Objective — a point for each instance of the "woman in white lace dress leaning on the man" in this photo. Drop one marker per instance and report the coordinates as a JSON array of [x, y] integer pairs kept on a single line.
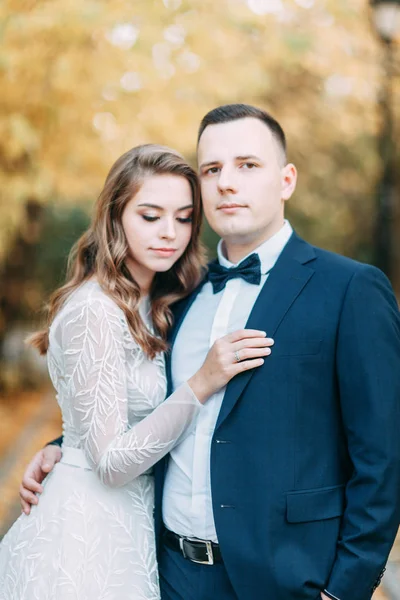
[[91, 536]]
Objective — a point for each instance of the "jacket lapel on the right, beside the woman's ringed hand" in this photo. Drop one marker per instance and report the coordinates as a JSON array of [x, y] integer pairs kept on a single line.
[[284, 284]]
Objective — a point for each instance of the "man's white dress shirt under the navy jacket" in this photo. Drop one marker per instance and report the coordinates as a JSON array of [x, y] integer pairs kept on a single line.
[[187, 505]]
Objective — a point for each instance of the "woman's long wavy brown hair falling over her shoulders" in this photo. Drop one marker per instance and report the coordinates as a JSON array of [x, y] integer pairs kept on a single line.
[[101, 251]]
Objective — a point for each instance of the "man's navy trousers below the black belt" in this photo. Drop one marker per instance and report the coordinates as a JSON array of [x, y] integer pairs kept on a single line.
[[180, 579]]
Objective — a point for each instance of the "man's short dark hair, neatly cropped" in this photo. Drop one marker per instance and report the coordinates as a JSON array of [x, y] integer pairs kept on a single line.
[[234, 112]]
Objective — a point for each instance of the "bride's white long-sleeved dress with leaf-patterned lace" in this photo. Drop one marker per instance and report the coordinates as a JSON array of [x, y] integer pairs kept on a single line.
[[91, 537]]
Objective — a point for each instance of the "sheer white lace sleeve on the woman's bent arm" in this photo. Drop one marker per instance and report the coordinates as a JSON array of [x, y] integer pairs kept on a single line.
[[93, 335]]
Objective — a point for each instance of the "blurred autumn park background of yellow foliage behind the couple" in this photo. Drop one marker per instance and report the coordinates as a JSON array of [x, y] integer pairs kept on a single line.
[[82, 82]]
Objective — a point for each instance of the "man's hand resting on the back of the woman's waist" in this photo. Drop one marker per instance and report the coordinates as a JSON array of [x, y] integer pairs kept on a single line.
[[39, 467]]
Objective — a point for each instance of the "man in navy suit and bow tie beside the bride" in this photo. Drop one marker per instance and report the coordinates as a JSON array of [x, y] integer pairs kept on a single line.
[[288, 485]]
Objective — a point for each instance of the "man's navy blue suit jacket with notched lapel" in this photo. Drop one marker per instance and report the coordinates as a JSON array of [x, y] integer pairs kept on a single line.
[[305, 460]]
